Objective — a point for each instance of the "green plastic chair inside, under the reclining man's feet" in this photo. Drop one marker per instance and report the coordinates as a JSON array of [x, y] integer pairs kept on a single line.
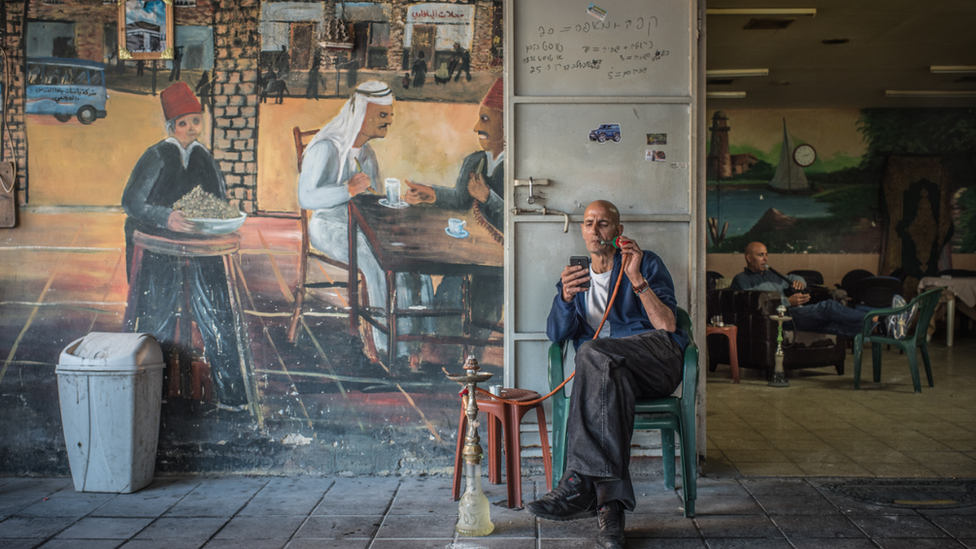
[[926, 303]]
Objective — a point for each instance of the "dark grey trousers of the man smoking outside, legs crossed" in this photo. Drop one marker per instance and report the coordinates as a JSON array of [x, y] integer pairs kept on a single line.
[[611, 375]]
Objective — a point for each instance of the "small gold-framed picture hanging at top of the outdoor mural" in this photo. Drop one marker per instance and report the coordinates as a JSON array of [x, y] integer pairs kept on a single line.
[[146, 29]]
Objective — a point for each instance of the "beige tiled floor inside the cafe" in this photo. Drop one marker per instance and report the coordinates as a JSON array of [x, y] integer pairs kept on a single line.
[[821, 426]]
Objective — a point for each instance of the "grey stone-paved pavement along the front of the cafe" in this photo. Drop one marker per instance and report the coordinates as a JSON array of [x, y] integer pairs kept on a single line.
[[247, 512]]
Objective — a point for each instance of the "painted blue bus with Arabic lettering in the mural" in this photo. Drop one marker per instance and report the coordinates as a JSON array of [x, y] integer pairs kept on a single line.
[[65, 88]]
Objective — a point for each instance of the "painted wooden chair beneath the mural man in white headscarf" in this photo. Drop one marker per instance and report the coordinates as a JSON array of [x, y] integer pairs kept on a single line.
[[307, 251]]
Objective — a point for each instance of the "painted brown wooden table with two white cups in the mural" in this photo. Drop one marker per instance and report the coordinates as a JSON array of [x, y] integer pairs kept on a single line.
[[414, 240]]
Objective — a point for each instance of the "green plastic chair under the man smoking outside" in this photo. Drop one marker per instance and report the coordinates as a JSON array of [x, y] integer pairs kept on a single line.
[[670, 415]]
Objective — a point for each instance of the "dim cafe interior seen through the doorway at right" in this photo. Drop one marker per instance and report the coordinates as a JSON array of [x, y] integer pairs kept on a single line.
[[789, 68]]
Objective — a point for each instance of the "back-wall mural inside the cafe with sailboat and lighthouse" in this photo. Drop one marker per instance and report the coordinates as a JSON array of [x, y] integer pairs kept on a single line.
[[809, 181]]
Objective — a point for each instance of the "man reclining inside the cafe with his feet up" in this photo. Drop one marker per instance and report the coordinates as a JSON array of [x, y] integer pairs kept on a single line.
[[826, 317]]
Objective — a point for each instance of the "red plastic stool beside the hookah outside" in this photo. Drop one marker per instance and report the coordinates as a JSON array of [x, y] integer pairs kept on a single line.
[[508, 416]]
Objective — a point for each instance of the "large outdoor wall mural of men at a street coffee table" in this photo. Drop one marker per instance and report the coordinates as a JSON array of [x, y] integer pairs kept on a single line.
[[377, 123]]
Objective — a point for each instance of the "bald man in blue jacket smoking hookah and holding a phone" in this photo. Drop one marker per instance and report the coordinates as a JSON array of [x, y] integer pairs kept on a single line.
[[637, 355]]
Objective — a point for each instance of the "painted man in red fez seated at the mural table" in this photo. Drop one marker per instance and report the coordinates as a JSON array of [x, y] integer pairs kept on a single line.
[[480, 184]]
